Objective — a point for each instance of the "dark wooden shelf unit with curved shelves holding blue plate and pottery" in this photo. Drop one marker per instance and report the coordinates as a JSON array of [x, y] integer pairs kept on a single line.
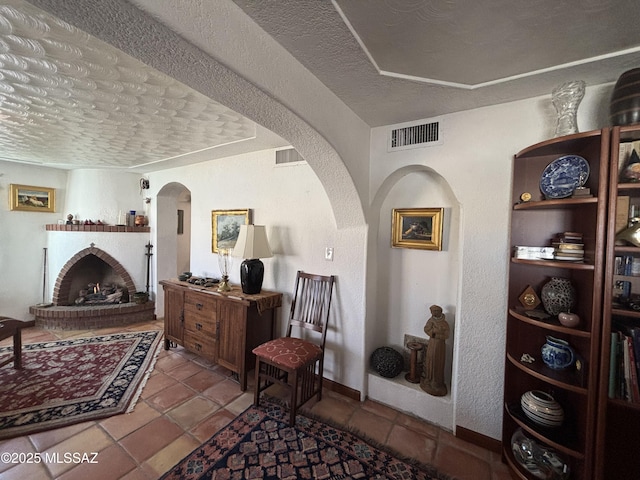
[[543, 222]]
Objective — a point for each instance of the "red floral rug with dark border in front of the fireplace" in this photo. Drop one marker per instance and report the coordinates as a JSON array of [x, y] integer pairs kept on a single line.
[[71, 381]]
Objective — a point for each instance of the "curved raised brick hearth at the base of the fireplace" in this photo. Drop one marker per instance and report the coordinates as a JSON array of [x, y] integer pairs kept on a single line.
[[92, 316]]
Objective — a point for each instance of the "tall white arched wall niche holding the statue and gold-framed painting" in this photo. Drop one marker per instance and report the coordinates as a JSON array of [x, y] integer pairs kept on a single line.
[[407, 281]]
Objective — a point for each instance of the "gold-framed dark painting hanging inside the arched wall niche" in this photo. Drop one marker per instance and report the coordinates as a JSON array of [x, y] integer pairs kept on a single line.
[[417, 228]]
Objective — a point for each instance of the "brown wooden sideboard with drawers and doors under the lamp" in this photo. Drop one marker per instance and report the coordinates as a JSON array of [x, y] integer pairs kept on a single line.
[[223, 327]]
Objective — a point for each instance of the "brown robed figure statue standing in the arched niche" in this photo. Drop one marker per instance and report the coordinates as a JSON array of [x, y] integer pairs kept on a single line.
[[437, 328]]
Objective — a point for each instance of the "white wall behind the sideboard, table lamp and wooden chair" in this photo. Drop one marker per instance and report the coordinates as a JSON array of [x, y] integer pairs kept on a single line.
[[290, 201]]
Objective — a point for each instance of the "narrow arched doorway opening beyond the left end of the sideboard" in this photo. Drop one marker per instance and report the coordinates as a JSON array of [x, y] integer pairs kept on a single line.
[[174, 248]]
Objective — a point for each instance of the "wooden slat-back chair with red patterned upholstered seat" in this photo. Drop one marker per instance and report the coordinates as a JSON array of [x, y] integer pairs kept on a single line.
[[297, 362]]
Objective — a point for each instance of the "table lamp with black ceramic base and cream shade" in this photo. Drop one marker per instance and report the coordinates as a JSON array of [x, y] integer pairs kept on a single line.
[[252, 245]]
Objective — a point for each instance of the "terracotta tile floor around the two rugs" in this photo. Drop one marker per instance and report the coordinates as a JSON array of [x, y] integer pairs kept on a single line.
[[186, 400]]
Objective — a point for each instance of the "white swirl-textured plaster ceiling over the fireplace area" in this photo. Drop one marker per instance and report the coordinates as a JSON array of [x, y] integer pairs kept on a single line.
[[69, 100]]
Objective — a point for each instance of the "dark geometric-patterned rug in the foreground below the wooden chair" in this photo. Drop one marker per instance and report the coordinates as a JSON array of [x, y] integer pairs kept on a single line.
[[259, 444]]
